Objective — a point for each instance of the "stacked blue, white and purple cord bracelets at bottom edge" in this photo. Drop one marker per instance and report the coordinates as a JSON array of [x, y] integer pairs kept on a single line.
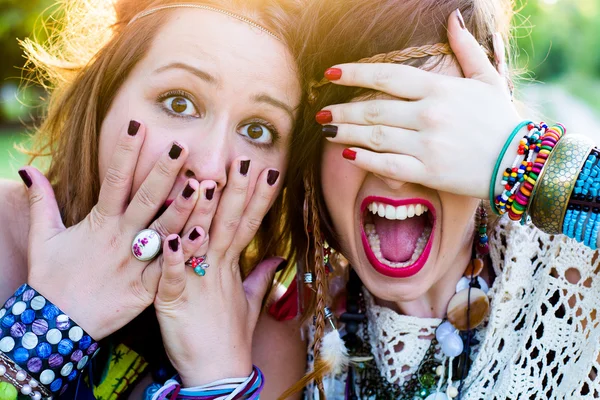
[[225, 389]]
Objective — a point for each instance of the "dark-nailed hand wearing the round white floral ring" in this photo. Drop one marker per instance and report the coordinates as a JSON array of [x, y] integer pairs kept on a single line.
[[88, 270]]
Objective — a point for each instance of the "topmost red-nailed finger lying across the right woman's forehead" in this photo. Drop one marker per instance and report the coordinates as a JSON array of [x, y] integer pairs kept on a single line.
[[395, 79]]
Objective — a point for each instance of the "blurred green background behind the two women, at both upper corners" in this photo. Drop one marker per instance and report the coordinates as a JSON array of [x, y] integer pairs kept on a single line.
[[556, 43]]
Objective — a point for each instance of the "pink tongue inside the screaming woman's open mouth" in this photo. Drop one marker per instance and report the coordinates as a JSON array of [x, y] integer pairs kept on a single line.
[[398, 238]]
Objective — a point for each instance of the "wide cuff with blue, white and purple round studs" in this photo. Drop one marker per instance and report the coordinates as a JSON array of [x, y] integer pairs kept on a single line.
[[43, 340]]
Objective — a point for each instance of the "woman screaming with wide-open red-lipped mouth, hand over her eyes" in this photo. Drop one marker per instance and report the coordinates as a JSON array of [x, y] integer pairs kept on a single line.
[[391, 176]]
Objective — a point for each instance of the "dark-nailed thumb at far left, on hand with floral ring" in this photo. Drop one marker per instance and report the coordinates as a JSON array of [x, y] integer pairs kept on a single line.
[[44, 216]]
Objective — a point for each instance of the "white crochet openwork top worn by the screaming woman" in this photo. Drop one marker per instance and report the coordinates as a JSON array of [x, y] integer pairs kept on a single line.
[[542, 336]]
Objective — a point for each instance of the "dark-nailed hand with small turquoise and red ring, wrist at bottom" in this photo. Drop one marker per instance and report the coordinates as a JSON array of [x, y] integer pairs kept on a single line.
[[207, 322]]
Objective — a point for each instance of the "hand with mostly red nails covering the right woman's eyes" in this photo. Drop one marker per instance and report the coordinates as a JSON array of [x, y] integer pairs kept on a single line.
[[440, 131]]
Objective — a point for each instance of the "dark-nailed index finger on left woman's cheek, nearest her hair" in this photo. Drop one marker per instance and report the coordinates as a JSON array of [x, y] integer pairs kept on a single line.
[[116, 186]]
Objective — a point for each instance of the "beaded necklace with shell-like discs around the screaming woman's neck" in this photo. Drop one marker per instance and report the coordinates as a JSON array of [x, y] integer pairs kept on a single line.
[[426, 382]]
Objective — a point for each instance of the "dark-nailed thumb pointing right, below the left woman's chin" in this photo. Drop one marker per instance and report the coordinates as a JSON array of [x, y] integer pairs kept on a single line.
[[259, 281]]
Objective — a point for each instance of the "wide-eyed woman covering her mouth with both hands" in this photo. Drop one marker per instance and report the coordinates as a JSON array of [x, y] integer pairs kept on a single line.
[[172, 116]]
